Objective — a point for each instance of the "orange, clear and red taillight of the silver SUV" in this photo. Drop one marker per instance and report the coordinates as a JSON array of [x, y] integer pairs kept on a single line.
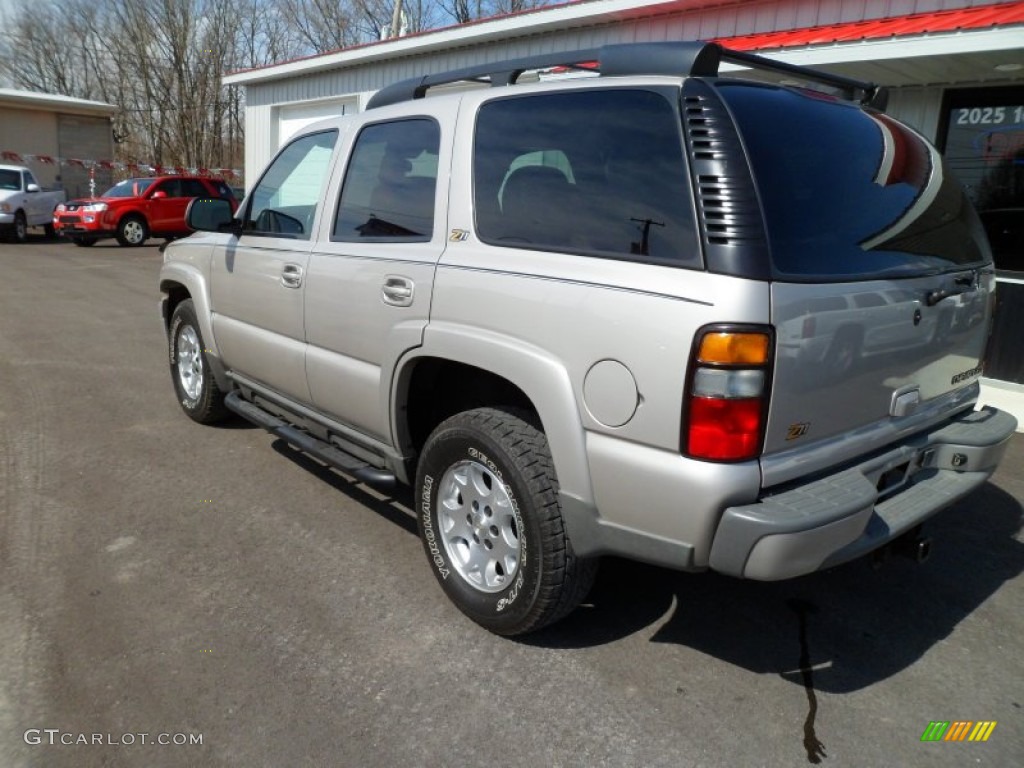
[[728, 401]]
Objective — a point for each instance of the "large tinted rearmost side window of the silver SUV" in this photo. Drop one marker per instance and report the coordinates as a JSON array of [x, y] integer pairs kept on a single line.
[[595, 173]]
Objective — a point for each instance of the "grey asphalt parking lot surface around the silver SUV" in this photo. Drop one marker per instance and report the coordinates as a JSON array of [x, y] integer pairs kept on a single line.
[[197, 584]]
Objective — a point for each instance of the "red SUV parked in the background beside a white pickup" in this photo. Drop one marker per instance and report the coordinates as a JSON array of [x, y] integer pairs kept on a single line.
[[137, 209]]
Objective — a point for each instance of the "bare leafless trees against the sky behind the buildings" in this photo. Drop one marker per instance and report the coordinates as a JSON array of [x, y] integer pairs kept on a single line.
[[161, 62]]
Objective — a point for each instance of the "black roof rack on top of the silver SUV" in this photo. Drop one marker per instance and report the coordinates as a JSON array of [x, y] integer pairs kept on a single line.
[[677, 59]]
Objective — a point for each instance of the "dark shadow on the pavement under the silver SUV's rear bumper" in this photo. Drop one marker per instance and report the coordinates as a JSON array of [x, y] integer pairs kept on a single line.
[[854, 625]]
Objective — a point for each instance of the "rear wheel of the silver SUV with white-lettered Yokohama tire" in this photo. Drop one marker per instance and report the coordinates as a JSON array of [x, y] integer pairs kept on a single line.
[[491, 525]]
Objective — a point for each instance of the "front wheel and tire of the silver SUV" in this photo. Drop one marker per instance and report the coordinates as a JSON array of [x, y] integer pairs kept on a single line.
[[195, 387]]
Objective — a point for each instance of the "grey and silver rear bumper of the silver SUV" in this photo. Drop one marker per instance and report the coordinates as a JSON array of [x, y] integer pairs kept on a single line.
[[845, 516]]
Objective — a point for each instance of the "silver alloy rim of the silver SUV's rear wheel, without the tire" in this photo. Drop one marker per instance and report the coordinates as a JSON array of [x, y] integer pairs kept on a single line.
[[479, 527]]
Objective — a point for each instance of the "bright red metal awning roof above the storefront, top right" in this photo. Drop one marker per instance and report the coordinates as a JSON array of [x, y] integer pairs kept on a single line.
[[982, 18]]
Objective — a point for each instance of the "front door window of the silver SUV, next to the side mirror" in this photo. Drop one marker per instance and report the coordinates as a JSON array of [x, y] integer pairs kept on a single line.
[[284, 203]]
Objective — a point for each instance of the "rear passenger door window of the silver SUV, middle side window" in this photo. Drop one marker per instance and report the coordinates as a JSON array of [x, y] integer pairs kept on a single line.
[[389, 193]]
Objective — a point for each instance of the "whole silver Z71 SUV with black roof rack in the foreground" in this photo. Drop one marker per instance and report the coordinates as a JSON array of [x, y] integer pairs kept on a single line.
[[587, 316]]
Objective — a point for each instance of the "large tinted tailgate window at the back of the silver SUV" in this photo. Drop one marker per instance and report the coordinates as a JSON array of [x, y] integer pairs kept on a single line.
[[849, 194]]
